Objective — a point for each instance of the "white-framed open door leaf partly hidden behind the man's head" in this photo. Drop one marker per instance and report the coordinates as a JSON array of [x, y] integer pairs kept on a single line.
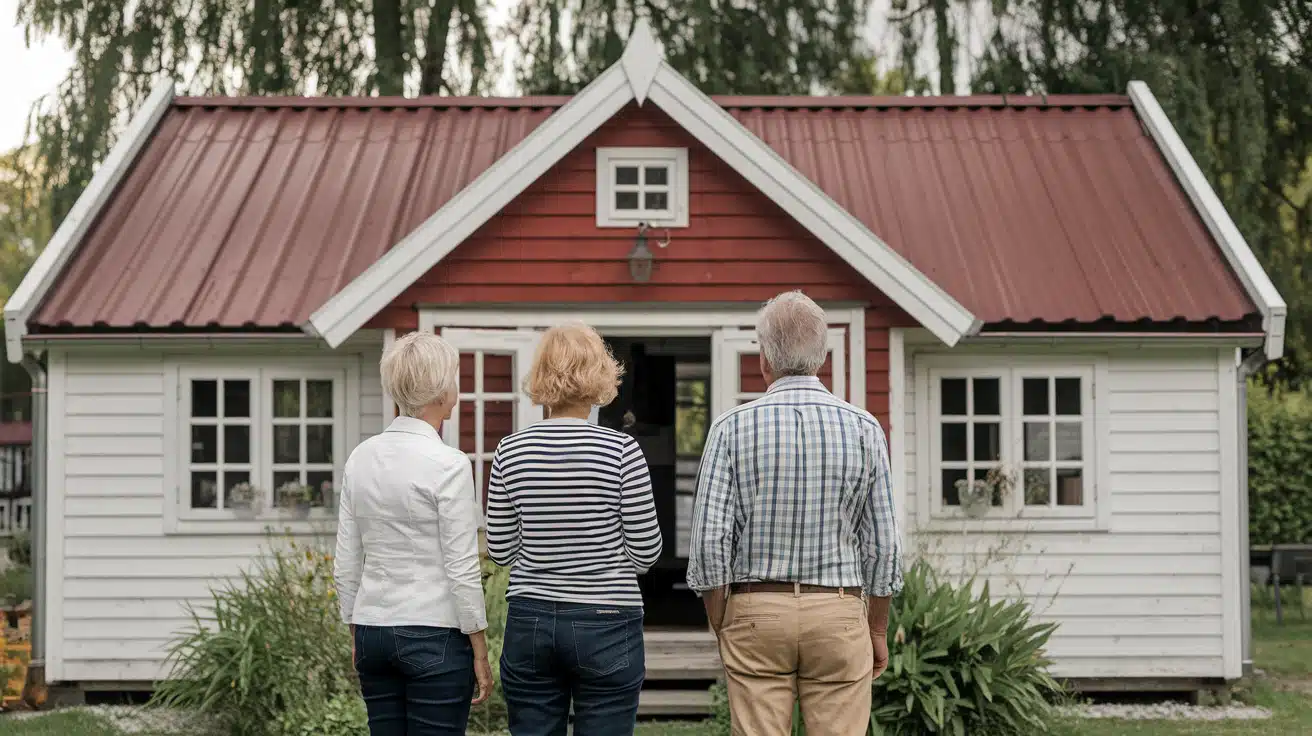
[[737, 372]]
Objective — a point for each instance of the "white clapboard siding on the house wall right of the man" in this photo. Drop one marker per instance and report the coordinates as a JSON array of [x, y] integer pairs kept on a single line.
[[1142, 599]]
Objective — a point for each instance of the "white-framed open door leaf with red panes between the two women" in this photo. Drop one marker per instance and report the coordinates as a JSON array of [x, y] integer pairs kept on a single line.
[[493, 401]]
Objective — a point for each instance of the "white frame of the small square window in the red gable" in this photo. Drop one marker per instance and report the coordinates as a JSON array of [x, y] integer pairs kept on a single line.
[[678, 186]]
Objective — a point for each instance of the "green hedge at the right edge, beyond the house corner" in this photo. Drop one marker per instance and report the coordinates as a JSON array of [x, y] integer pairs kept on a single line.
[[1280, 455]]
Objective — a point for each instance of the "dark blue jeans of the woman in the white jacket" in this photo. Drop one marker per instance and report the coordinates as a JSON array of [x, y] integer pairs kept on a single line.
[[417, 680]]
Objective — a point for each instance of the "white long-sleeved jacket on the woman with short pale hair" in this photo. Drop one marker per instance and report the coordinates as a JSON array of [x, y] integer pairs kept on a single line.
[[407, 533]]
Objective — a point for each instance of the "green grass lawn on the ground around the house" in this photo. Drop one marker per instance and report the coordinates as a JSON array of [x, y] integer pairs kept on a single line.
[[1284, 653]]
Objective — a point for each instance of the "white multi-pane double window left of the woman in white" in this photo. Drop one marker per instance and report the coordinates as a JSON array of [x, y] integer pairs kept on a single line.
[[259, 440]]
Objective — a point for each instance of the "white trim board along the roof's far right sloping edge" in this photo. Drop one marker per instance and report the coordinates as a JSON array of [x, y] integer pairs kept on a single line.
[[1220, 224]]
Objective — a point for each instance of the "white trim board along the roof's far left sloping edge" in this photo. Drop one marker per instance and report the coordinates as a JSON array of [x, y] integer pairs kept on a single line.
[[79, 220]]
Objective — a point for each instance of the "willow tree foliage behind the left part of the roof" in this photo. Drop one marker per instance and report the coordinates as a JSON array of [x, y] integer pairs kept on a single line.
[[237, 48]]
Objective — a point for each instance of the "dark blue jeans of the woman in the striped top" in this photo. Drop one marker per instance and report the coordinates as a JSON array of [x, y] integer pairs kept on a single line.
[[561, 653]]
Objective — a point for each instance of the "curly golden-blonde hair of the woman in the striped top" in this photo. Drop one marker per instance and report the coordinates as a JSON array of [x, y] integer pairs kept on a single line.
[[573, 368]]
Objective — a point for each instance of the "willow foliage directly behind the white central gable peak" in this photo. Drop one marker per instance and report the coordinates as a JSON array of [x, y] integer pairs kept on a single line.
[[741, 48]]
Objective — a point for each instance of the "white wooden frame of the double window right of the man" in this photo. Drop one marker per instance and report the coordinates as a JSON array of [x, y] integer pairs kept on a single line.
[[1014, 515]]
